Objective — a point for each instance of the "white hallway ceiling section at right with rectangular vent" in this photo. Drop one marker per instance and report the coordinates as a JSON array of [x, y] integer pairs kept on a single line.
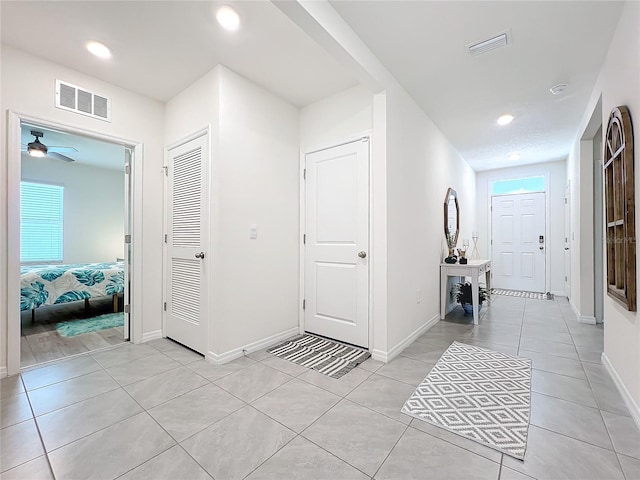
[[423, 44]]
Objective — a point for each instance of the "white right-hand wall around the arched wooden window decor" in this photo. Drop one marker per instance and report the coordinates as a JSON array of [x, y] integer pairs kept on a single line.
[[616, 85]]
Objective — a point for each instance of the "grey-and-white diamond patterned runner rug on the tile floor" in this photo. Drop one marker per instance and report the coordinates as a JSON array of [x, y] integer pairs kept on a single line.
[[479, 394]]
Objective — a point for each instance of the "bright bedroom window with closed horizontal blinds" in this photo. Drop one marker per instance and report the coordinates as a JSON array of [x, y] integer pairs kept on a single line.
[[41, 222]]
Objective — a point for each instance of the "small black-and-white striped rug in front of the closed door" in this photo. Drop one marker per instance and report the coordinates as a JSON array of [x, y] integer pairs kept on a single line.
[[326, 356]]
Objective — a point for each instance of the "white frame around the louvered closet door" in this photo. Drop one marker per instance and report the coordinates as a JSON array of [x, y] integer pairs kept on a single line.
[[211, 254]]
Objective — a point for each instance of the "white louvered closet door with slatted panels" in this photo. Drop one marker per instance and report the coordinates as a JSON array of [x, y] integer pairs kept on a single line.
[[186, 290]]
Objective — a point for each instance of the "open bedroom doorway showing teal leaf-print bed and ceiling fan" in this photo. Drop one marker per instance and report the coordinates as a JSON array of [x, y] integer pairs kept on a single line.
[[72, 241]]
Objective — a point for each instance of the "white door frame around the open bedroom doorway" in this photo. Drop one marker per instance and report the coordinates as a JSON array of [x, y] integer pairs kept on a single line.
[[14, 121]]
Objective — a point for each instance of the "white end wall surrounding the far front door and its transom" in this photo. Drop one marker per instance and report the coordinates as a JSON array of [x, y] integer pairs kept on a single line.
[[555, 174]]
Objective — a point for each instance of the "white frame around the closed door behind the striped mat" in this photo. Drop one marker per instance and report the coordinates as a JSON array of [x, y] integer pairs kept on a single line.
[[303, 219]]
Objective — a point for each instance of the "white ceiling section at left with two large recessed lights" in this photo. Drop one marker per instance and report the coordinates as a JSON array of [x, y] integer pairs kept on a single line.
[[161, 47]]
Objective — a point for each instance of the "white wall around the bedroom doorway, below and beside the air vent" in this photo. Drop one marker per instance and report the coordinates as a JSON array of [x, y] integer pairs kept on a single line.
[[134, 117]]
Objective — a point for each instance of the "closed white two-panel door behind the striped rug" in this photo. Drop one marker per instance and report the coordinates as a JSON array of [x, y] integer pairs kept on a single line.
[[336, 284]]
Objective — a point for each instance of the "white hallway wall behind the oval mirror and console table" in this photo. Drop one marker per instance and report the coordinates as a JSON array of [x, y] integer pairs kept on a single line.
[[421, 165]]
